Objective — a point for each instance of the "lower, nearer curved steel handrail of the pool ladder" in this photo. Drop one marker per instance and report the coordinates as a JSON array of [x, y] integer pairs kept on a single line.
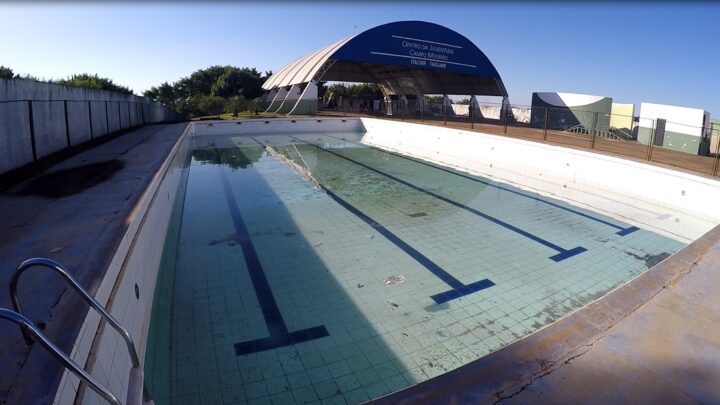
[[28, 328]]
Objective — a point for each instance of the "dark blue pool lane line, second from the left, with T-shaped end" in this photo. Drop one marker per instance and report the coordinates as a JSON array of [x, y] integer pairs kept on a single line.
[[458, 288]]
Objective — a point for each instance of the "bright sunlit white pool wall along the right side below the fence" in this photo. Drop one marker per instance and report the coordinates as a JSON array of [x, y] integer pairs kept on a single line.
[[677, 204]]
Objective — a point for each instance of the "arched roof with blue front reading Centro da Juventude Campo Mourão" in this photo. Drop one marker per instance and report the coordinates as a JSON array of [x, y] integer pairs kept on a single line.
[[406, 56]]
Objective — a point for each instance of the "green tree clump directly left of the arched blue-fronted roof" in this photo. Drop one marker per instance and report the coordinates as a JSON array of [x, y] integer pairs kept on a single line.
[[200, 93]]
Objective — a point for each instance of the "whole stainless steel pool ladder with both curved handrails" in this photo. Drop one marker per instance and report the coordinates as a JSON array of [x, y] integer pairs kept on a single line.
[[32, 333]]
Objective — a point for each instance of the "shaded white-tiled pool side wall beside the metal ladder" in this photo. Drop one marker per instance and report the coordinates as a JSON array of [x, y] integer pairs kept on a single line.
[[127, 290]]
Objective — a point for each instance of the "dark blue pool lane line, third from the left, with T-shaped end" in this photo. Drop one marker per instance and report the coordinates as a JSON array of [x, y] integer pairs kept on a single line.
[[560, 256]]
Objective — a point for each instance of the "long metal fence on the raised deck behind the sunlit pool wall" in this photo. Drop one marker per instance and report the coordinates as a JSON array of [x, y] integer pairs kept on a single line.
[[693, 148]]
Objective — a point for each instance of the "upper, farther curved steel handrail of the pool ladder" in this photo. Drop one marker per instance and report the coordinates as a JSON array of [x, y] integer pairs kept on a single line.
[[60, 269]]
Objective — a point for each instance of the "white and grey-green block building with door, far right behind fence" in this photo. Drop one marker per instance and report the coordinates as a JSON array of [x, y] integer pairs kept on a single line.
[[677, 128]]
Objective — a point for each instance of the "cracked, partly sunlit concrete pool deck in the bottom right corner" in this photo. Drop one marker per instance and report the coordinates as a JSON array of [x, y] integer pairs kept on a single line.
[[654, 340]]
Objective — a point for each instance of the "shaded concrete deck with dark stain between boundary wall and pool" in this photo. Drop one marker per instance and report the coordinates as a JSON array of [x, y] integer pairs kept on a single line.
[[76, 213]]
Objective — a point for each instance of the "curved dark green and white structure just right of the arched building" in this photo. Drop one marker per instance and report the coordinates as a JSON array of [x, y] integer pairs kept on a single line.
[[570, 111]]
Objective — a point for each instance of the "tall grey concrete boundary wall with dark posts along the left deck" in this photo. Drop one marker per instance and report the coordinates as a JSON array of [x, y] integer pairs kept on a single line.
[[90, 114]]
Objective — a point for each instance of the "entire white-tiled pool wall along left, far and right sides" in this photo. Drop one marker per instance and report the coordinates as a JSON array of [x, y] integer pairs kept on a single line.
[[604, 183]]
